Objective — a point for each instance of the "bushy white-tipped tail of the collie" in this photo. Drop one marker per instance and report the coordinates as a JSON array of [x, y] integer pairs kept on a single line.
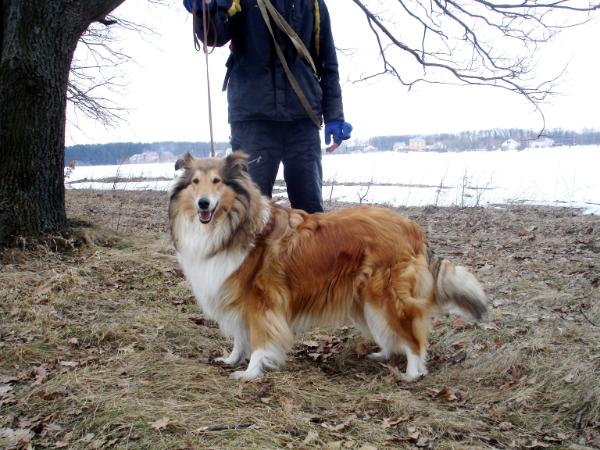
[[457, 291]]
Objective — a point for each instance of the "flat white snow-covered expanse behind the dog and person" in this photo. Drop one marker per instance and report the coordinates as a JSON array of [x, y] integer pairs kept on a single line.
[[560, 176]]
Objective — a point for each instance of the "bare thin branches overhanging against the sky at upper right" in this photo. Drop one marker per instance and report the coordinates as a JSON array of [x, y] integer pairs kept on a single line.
[[470, 42]]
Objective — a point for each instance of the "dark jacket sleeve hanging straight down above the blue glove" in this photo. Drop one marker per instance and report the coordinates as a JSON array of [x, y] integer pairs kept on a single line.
[[327, 70]]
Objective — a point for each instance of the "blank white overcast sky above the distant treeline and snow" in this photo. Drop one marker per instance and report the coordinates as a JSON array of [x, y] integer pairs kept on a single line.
[[165, 88]]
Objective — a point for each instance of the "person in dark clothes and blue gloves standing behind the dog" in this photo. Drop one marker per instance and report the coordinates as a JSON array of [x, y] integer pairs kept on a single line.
[[268, 118]]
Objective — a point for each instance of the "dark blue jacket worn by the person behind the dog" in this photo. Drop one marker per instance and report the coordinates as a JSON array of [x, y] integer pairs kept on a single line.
[[257, 86]]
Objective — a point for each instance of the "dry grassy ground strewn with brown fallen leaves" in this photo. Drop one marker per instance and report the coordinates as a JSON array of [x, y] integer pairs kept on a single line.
[[102, 345]]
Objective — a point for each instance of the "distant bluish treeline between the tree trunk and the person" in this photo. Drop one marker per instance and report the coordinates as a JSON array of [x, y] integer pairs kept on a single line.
[[97, 154]]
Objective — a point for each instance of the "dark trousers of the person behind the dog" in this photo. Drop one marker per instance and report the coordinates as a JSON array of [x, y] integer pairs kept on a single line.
[[297, 145]]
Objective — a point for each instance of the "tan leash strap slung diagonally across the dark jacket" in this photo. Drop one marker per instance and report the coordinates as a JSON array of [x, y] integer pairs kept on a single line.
[[266, 9]]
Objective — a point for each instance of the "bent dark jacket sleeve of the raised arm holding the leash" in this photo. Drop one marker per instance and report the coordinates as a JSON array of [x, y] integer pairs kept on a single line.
[[221, 14]]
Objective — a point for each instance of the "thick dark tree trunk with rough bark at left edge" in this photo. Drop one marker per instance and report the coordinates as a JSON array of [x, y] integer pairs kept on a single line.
[[37, 45]]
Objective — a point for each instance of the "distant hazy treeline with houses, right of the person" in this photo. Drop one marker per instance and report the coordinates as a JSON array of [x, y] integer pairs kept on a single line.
[[490, 139]]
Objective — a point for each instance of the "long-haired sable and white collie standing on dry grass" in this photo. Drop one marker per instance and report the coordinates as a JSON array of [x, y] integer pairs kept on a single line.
[[264, 271]]
